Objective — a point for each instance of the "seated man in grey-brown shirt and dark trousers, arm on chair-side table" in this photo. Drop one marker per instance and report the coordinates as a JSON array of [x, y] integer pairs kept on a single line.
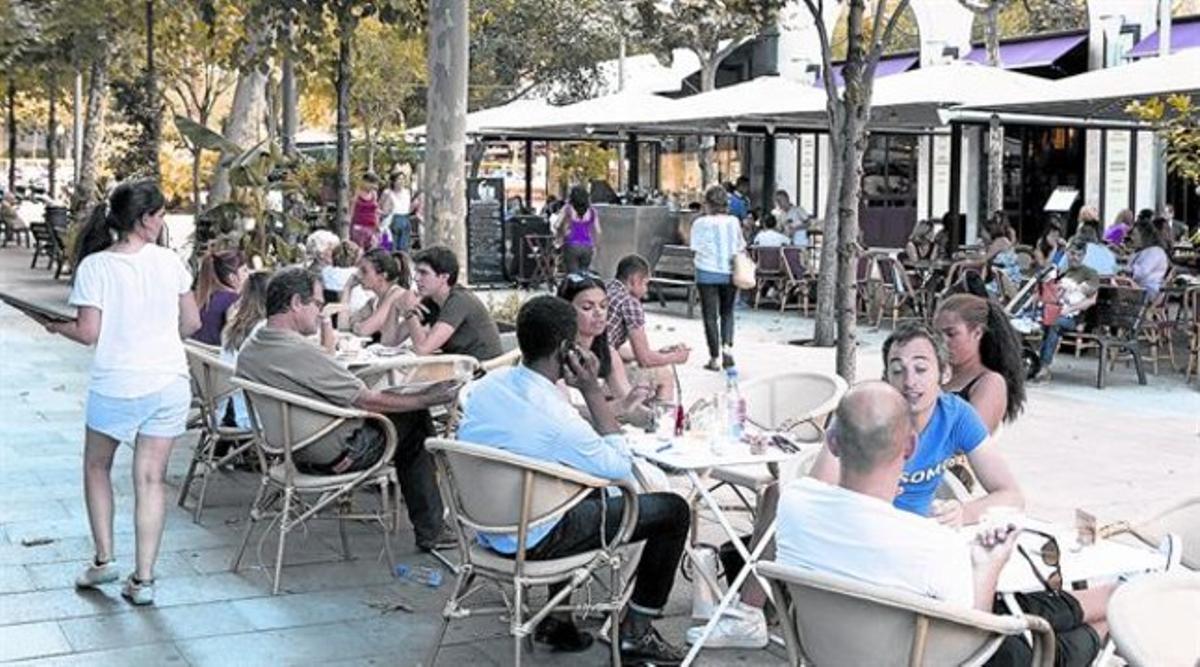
[[280, 354]]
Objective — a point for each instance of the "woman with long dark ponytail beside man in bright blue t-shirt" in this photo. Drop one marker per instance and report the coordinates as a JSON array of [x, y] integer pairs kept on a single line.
[[986, 357]]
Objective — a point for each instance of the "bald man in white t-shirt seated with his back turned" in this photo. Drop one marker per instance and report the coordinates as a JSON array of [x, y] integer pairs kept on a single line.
[[855, 531]]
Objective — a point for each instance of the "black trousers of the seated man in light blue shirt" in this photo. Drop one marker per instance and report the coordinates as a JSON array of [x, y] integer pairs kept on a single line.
[[663, 521]]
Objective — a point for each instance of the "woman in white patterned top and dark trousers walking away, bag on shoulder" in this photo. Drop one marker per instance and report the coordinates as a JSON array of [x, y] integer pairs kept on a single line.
[[716, 239]]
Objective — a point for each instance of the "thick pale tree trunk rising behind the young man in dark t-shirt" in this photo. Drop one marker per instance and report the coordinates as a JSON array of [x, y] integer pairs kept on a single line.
[[446, 194]]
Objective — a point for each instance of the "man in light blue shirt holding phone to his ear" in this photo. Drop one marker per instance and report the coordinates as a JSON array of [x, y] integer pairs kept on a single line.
[[523, 411]]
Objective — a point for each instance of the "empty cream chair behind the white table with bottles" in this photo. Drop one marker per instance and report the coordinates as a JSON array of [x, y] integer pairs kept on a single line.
[[799, 404]]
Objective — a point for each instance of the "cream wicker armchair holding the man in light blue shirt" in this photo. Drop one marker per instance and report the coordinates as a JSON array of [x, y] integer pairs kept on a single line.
[[488, 490]]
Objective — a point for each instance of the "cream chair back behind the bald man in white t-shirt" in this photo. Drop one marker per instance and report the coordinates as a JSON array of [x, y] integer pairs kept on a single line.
[[829, 620]]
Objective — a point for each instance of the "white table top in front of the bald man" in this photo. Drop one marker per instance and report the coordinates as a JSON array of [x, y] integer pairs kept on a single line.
[[1097, 563]]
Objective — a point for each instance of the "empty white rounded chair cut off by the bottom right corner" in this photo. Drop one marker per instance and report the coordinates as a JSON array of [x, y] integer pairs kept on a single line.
[[1155, 620]]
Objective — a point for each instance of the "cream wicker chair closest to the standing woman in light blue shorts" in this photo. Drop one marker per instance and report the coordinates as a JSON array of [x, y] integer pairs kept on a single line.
[[211, 382]]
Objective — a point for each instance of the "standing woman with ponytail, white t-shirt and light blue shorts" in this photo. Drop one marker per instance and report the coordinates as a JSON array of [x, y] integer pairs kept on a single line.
[[136, 307]]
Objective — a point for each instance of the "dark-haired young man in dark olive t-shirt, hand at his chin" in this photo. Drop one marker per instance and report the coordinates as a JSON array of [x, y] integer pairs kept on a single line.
[[463, 325]]
